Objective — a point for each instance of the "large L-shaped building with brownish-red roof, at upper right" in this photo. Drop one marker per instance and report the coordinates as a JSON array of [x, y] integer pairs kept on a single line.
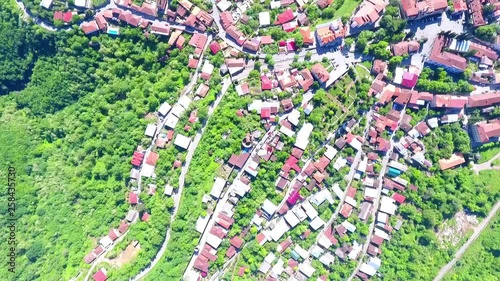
[[449, 61]]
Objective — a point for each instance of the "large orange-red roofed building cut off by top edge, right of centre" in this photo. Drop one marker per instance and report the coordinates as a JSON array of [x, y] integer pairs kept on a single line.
[[414, 9]]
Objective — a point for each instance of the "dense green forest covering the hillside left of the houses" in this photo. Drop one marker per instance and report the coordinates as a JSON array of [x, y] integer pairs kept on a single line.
[[72, 112]]
